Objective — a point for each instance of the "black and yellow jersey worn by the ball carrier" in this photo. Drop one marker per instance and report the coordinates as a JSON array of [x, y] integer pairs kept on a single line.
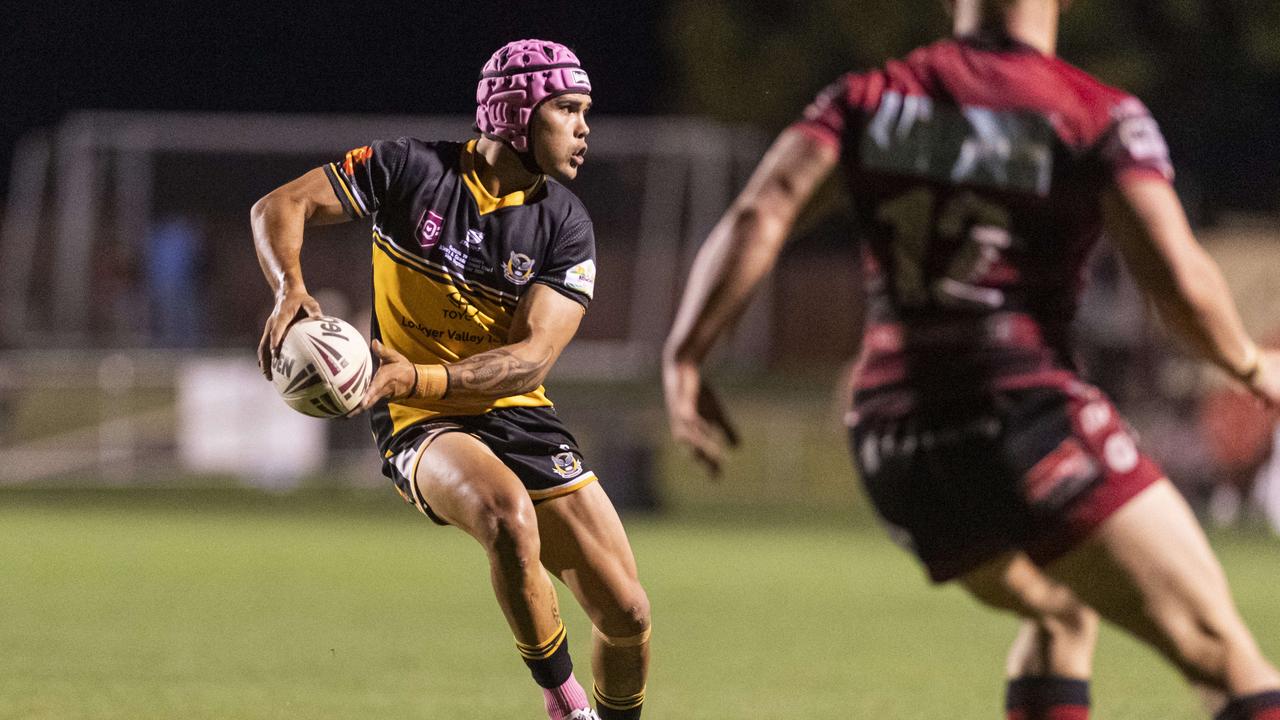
[[451, 262]]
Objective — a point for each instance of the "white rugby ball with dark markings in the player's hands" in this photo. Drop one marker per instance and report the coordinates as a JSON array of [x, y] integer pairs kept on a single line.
[[323, 367]]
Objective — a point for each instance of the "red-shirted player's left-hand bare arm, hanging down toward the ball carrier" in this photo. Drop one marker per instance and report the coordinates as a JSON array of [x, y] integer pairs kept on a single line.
[[739, 253]]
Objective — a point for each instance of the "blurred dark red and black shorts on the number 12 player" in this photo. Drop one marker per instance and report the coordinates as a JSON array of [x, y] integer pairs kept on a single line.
[[1035, 470]]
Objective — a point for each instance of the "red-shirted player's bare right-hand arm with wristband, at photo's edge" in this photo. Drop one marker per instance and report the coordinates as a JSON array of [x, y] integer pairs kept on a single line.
[[1148, 222]]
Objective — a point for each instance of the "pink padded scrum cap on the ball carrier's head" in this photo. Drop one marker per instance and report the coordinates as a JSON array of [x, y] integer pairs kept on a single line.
[[518, 79]]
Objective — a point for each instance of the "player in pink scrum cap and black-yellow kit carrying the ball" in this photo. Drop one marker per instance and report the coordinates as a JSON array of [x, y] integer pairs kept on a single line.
[[483, 268]]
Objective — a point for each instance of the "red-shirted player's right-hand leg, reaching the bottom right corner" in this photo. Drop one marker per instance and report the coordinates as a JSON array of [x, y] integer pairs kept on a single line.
[[1150, 569]]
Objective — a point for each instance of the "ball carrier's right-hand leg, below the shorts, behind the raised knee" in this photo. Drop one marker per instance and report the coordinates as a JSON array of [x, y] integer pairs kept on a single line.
[[586, 546]]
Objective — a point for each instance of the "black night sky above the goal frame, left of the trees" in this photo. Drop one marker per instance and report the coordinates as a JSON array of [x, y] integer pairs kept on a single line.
[[324, 57]]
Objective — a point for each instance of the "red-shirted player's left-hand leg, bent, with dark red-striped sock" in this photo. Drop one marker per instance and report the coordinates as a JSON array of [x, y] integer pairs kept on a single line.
[[1052, 660]]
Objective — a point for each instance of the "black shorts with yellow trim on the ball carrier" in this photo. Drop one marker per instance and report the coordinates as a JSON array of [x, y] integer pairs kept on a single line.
[[529, 441]]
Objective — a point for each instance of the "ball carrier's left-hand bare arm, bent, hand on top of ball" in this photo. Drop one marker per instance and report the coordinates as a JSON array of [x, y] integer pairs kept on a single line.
[[278, 221]]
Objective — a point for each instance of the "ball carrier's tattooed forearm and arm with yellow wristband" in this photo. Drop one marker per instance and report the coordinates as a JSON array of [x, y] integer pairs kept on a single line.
[[545, 323]]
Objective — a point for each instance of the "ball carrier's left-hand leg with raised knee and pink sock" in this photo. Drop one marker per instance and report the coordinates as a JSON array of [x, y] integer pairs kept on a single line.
[[465, 485]]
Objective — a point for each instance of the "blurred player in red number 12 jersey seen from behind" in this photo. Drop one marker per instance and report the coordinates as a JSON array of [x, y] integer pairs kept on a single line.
[[982, 171]]
